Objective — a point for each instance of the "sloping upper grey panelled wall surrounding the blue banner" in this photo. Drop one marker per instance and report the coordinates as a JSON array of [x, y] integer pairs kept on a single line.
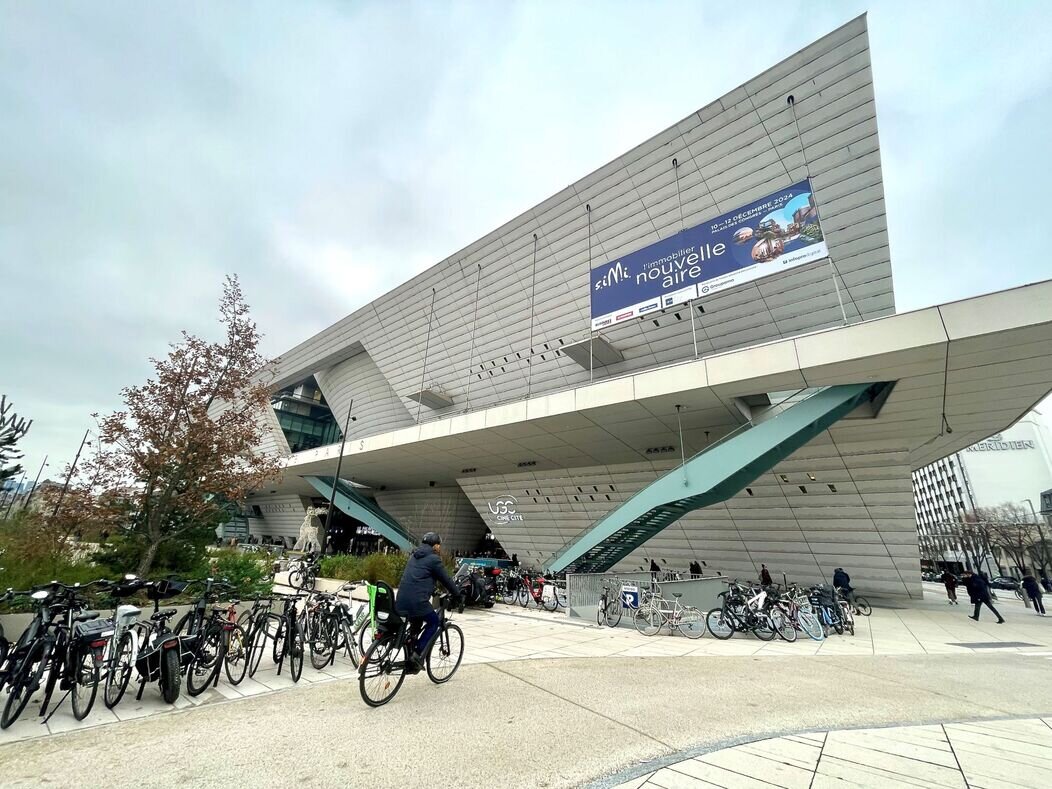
[[495, 315]]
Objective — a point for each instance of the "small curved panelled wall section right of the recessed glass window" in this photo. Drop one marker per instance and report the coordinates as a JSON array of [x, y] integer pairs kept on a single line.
[[377, 409]]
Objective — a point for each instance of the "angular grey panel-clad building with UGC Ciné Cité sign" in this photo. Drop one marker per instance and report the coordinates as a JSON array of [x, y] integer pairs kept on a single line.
[[483, 399]]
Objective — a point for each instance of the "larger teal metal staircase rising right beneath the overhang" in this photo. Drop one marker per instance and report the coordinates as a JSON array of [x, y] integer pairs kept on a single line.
[[711, 477]]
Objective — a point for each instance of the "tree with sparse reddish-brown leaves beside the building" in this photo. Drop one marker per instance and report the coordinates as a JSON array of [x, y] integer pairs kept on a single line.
[[186, 448]]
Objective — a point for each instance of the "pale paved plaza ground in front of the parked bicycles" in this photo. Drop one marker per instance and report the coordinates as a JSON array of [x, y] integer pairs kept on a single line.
[[551, 701]]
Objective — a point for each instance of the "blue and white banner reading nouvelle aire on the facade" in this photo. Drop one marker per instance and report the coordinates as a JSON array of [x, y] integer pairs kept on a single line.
[[771, 235]]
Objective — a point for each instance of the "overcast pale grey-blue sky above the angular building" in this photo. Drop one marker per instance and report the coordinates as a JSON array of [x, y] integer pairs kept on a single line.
[[327, 152]]
